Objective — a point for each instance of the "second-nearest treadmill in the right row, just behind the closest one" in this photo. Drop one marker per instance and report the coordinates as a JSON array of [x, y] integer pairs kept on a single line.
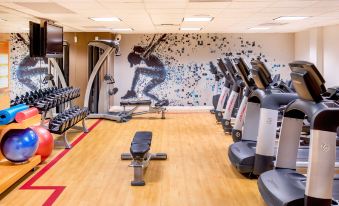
[[260, 124]]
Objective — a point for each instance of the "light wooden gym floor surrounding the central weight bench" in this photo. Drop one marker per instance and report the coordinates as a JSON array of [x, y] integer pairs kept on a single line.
[[197, 171]]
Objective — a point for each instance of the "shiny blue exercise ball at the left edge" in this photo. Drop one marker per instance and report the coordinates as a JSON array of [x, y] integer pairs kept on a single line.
[[18, 145]]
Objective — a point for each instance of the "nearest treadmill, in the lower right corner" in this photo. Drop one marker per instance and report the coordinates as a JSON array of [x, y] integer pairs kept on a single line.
[[284, 185]]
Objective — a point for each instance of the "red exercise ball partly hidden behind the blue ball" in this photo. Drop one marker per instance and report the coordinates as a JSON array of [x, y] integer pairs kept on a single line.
[[46, 142]]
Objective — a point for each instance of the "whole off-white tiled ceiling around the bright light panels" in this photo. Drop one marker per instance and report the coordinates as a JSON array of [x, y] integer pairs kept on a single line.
[[146, 15]]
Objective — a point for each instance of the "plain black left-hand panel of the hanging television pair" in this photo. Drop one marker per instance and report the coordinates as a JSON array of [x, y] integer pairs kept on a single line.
[[36, 42]]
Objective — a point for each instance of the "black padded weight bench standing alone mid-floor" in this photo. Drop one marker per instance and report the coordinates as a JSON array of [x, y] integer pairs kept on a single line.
[[140, 156]]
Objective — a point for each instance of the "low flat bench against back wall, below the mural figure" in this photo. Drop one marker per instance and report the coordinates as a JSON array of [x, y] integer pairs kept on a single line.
[[159, 107]]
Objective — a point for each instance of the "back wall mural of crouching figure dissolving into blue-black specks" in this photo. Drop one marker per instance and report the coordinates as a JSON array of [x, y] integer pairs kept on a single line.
[[176, 67]]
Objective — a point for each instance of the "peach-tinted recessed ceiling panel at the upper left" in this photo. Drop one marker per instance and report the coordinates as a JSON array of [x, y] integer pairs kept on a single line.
[[45, 7]]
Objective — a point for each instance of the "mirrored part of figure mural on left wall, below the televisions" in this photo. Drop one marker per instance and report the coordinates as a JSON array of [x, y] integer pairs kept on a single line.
[[26, 73]]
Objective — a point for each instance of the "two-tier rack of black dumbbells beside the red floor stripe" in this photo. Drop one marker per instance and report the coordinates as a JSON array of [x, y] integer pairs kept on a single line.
[[46, 107]]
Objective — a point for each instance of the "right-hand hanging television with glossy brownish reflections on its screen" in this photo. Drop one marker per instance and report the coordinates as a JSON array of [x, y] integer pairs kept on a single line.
[[54, 40]]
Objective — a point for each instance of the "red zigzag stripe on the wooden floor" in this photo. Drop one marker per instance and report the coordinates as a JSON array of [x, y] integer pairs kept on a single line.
[[57, 189]]
